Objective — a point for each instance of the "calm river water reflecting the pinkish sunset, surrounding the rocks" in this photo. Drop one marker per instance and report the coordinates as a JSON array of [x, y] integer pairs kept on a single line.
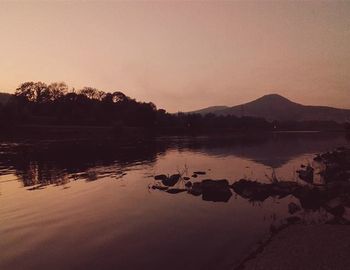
[[79, 205]]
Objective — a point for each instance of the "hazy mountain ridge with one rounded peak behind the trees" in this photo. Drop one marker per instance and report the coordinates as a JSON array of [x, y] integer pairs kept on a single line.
[[275, 107]]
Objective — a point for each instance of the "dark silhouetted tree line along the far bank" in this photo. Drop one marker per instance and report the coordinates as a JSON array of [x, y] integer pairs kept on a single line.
[[38, 103]]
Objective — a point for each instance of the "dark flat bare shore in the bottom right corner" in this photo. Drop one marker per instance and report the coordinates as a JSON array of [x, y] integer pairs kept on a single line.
[[305, 247]]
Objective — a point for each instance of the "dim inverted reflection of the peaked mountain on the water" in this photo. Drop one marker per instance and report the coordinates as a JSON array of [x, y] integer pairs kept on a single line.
[[273, 150]]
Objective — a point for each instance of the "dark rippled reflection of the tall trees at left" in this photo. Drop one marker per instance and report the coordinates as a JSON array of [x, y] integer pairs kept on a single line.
[[59, 163]]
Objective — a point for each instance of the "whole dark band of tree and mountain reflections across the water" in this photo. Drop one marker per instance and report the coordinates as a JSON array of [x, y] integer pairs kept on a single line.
[[38, 164]]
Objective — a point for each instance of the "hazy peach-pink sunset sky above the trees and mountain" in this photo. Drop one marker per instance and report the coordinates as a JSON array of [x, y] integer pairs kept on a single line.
[[182, 55]]
